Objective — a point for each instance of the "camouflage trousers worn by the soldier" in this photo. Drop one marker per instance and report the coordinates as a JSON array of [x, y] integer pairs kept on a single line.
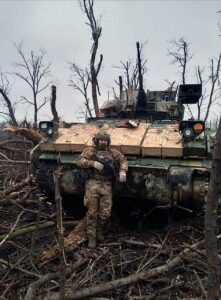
[[98, 200]]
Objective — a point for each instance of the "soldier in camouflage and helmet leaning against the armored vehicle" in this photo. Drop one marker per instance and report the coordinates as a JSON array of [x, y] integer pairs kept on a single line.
[[99, 162]]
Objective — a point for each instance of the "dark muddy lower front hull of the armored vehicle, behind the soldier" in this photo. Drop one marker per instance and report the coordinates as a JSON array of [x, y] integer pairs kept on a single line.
[[152, 180]]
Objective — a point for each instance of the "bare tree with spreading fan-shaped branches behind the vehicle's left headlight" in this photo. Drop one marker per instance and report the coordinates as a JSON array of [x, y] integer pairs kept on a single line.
[[34, 73]]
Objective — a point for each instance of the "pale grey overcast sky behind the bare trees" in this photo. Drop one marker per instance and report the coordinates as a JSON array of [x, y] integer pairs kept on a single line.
[[59, 27]]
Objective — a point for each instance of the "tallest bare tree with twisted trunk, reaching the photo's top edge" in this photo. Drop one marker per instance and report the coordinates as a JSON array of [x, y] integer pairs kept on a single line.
[[96, 29]]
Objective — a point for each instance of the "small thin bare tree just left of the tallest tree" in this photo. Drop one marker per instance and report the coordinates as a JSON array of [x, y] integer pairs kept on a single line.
[[79, 80]]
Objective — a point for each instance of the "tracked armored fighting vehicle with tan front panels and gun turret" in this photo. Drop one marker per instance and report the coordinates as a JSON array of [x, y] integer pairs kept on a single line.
[[169, 158]]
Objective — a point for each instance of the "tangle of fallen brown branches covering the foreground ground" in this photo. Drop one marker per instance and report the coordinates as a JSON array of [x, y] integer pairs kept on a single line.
[[128, 265]]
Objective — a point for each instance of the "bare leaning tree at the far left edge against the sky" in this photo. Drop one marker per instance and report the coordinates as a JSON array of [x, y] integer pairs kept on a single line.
[[4, 91]]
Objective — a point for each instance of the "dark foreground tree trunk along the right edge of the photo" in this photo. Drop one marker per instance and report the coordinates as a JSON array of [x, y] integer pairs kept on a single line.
[[211, 221]]
